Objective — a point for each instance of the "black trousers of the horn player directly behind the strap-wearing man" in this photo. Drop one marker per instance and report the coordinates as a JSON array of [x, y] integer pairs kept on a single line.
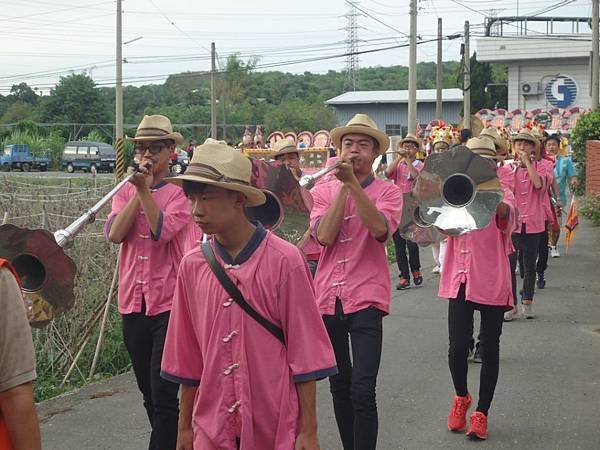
[[353, 388]]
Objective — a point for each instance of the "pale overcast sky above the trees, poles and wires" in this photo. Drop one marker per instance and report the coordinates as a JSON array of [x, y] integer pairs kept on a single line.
[[40, 40]]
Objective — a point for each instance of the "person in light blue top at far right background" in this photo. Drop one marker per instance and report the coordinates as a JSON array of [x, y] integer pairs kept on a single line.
[[564, 173]]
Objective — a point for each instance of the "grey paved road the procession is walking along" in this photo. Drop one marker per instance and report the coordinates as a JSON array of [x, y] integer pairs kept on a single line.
[[548, 395]]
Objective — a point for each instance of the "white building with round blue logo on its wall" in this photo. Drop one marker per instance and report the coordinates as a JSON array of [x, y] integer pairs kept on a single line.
[[544, 71]]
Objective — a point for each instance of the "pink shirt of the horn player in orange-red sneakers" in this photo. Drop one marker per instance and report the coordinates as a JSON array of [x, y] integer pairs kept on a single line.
[[479, 260]]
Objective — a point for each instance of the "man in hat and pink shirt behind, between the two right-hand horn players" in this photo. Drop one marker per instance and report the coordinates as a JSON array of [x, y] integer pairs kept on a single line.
[[403, 171]]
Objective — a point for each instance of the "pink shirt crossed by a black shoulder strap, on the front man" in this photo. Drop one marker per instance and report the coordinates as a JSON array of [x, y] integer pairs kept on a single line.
[[245, 376]]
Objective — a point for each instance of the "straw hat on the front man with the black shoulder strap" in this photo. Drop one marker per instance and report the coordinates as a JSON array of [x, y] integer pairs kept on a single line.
[[220, 165]]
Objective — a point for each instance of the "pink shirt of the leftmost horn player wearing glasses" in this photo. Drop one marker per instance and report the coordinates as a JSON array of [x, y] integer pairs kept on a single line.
[[148, 263]]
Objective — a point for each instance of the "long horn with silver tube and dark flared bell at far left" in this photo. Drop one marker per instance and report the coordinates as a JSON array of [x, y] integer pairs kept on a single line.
[[47, 274]]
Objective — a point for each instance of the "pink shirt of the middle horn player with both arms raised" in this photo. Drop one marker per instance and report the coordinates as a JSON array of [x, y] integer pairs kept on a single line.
[[355, 269]]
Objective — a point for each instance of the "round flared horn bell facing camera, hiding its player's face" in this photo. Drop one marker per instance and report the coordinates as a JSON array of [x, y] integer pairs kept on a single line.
[[458, 191]]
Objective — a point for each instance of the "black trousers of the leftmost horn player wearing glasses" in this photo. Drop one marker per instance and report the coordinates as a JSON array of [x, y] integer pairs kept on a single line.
[[144, 338]]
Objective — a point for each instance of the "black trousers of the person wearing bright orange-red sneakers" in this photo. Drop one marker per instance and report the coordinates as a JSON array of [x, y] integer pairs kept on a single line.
[[460, 332]]
